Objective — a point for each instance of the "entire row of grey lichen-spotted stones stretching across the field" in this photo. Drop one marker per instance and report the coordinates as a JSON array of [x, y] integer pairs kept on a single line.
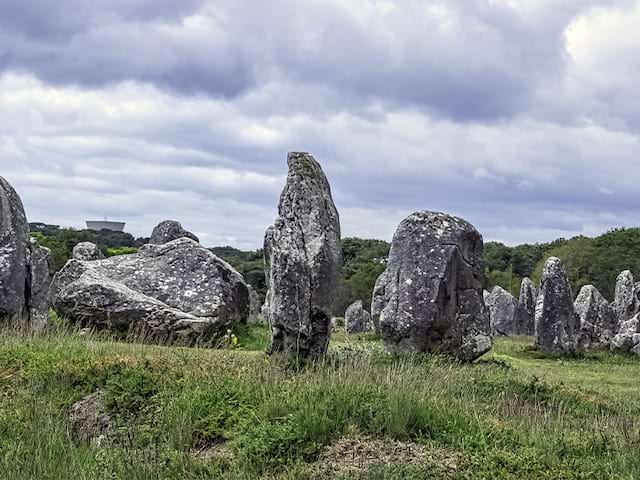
[[429, 298]]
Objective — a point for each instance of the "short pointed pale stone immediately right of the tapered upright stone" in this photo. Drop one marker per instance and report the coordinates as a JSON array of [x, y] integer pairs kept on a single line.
[[597, 318]]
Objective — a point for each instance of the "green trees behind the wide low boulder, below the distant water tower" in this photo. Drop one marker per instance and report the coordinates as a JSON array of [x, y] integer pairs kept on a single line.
[[62, 240]]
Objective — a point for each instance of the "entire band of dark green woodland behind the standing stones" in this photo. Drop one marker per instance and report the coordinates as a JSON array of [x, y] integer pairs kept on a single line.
[[596, 261]]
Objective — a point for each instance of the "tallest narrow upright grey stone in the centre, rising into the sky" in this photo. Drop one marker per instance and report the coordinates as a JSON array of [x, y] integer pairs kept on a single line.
[[302, 260]]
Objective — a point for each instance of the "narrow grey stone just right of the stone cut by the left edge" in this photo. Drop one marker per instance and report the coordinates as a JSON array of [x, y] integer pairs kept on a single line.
[[40, 267]]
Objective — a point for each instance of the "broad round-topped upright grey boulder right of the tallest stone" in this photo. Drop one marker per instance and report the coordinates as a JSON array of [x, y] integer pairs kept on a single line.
[[433, 288]]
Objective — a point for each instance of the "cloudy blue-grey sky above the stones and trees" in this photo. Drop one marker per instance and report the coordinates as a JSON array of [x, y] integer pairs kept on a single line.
[[521, 116]]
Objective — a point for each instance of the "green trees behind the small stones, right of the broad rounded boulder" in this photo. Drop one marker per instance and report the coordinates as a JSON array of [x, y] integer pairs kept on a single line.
[[596, 261]]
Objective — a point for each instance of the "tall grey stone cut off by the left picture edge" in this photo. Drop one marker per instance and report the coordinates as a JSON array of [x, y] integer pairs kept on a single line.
[[14, 251]]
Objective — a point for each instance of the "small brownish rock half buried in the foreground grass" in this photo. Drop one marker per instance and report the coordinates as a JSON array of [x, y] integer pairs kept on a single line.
[[89, 421]]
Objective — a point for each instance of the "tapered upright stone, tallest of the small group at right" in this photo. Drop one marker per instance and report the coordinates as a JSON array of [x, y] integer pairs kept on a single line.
[[556, 324]]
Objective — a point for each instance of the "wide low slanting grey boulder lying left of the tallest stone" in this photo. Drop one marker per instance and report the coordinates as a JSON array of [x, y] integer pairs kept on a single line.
[[175, 292]]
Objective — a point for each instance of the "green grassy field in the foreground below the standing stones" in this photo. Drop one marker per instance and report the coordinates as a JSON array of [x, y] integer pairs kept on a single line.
[[240, 414]]
